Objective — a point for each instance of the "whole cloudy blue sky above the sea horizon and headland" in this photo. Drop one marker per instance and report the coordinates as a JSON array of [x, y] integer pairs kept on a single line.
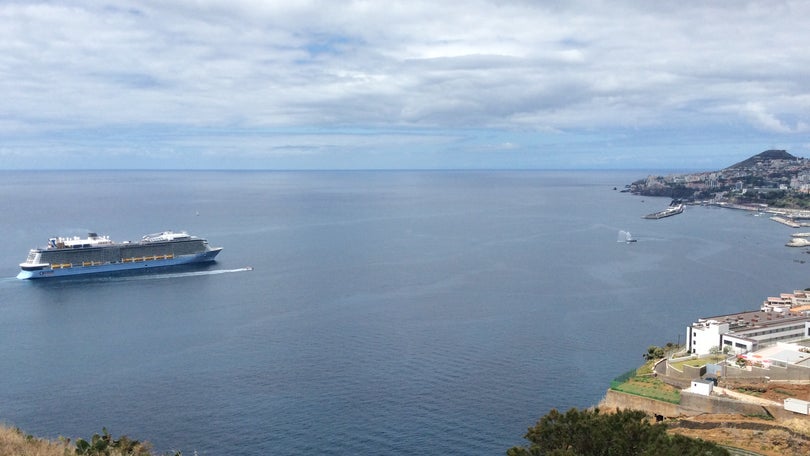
[[306, 84]]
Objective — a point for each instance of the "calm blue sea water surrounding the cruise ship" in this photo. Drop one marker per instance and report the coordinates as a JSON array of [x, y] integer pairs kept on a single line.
[[387, 312]]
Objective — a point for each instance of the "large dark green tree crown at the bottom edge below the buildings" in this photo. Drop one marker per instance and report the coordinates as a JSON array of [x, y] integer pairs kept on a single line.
[[590, 433]]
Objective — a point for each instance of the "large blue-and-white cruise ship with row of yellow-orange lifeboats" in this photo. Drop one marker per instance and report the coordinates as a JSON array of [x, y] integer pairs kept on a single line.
[[98, 254]]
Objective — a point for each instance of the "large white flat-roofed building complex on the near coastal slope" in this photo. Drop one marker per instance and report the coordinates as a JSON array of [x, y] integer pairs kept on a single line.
[[780, 319]]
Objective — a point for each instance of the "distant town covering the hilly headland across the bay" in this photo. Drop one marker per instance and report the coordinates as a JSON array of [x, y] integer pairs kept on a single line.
[[771, 179]]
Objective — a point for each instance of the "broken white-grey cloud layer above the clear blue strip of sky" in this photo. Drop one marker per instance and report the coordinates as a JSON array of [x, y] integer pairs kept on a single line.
[[503, 65]]
